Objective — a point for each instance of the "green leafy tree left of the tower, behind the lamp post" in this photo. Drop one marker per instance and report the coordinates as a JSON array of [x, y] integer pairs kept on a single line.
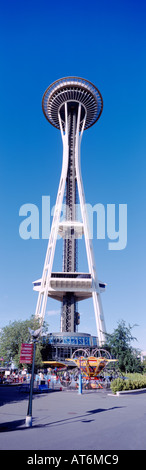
[[15, 333]]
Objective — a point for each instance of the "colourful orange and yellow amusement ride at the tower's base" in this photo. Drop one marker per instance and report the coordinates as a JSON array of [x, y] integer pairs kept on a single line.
[[90, 366]]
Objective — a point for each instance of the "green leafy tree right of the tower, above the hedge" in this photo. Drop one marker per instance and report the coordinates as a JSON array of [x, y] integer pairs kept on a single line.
[[119, 345]]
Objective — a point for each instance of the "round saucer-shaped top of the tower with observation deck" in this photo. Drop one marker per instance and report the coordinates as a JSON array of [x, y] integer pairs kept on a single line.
[[72, 90]]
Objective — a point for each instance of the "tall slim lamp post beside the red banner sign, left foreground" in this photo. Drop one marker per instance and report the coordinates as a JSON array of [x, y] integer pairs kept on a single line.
[[35, 336]]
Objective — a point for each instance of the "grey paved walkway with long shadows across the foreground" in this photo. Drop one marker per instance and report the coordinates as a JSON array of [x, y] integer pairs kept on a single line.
[[66, 420]]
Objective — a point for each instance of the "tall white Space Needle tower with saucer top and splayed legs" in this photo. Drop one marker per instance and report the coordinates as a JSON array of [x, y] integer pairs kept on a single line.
[[72, 105]]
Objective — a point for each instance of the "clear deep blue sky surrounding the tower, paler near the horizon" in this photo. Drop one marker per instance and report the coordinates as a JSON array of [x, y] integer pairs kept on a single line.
[[104, 42]]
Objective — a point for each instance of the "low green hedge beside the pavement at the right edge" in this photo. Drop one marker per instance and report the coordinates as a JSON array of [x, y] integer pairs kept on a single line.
[[135, 383]]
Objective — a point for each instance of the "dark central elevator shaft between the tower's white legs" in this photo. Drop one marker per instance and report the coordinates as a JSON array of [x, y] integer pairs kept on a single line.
[[69, 307]]
